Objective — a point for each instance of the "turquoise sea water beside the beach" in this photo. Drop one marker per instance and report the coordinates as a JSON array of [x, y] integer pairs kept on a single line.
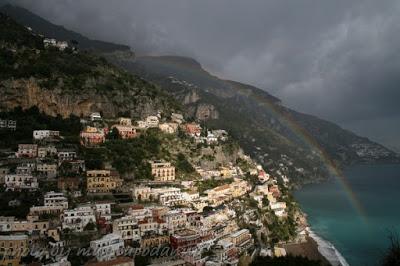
[[359, 234]]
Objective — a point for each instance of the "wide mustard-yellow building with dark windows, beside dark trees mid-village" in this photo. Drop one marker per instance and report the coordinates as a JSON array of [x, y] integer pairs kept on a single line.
[[102, 181]]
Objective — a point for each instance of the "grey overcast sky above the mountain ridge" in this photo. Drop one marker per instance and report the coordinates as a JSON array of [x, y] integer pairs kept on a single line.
[[339, 60]]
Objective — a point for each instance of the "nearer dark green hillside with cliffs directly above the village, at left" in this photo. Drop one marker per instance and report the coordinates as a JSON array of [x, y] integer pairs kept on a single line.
[[68, 82]]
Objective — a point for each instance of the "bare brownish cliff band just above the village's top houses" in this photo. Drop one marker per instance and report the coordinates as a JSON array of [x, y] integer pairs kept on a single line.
[[27, 93]]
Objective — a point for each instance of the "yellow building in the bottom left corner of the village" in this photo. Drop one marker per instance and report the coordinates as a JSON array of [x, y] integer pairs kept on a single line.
[[12, 248]]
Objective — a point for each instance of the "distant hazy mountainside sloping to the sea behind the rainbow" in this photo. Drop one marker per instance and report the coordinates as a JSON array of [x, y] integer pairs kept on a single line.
[[280, 135]]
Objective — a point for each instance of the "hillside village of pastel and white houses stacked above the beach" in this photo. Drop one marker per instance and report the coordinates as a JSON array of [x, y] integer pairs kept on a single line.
[[203, 213]]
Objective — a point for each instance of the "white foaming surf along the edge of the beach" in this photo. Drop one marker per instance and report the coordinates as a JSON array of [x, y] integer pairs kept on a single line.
[[328, 250]]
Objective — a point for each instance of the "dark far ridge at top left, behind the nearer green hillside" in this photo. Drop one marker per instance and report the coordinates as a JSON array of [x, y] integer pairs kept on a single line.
[[50, 30]]
